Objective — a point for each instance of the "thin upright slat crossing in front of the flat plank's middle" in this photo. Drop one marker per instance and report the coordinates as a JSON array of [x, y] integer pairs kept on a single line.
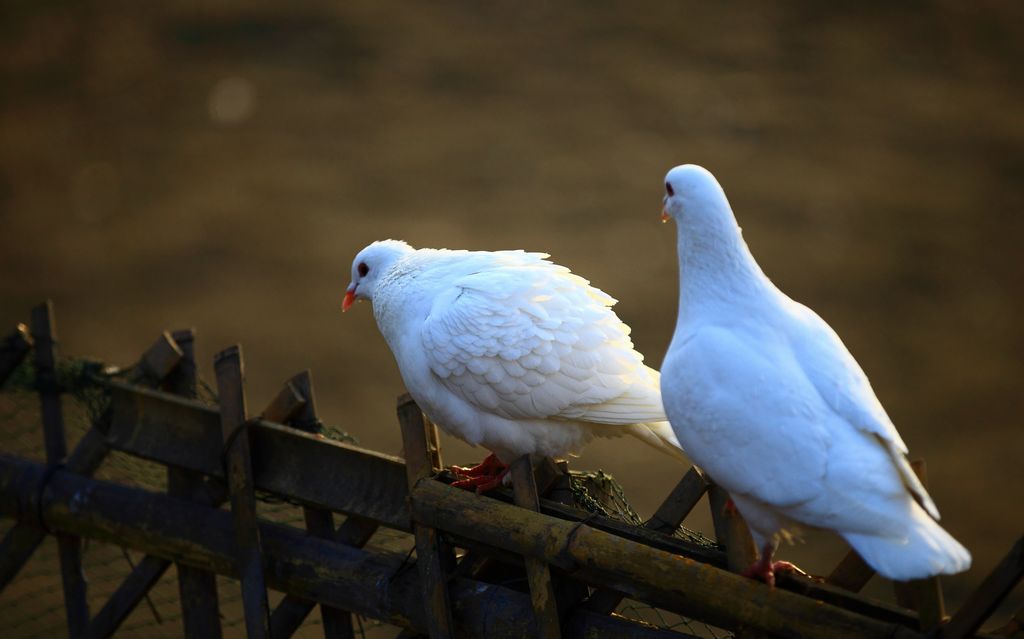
[[228, 365]]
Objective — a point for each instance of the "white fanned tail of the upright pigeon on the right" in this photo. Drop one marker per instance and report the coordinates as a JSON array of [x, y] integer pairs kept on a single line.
[[926, 551]]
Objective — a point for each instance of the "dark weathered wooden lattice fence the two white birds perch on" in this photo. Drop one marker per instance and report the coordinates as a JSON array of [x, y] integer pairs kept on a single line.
[[579, 567]]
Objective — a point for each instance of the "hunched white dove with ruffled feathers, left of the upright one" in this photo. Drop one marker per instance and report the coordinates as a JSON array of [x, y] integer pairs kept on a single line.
[[509, 352]]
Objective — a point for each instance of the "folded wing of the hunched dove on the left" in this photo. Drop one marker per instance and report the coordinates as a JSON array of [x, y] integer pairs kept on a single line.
[[527, 339]]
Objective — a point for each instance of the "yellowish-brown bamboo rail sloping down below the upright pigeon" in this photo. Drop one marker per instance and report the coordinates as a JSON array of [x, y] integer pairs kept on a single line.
[[643, 572]]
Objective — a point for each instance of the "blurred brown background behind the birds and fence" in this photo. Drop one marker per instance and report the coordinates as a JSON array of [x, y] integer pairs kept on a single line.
[[219, 165]]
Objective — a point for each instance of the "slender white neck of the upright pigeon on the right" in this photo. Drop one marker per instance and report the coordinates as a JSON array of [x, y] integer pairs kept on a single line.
[[716, 269]]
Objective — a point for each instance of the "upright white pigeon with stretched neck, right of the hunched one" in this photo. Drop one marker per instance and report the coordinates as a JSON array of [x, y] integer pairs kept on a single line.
[[766, 399]]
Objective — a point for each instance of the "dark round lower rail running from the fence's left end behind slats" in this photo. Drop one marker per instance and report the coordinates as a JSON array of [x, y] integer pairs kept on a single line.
[[373, 583]]
